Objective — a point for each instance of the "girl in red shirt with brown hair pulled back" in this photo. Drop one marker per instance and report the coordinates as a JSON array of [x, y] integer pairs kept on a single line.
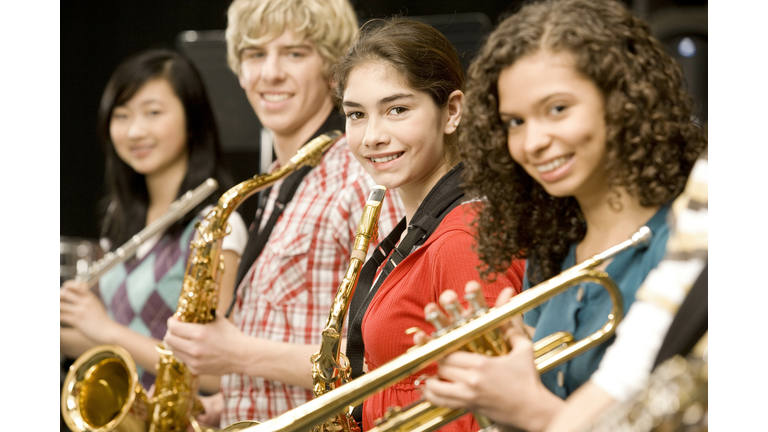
[[401, 87]]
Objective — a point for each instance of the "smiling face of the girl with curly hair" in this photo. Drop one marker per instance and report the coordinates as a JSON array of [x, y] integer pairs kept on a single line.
[[556, 124]]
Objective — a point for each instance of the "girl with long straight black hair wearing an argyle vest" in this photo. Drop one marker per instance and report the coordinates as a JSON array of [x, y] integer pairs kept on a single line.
[[160, 141]]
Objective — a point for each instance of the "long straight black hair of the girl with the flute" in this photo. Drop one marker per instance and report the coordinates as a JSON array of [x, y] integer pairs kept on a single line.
[[128, 199]]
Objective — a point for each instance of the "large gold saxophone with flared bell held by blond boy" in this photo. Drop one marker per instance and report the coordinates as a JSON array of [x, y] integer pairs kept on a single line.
[[110, 372]]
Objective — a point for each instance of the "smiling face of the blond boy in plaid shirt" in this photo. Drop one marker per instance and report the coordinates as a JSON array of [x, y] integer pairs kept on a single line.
[[284, 81]]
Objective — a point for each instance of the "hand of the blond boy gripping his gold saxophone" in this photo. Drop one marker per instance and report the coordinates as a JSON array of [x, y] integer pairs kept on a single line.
[[205, 349]]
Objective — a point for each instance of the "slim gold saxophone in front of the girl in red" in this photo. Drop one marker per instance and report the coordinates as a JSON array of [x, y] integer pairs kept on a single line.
[[330, 367]]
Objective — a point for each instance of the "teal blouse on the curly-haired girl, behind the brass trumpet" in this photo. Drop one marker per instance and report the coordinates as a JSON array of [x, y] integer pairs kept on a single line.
[[582, 313]]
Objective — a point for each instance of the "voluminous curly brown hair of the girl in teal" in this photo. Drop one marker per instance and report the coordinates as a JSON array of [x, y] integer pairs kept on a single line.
[[651, 141]]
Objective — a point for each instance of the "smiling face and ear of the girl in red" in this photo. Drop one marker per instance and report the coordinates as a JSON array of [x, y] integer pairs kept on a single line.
[[395, 132]]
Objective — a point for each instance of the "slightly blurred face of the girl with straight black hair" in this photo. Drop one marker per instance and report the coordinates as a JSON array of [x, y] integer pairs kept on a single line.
[[149, 131]]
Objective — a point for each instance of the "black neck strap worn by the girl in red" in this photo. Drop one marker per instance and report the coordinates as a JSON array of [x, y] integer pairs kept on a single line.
[[444, 197]]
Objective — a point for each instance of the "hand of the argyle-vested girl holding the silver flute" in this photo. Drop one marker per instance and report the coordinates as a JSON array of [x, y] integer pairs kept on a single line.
[[80, 308]]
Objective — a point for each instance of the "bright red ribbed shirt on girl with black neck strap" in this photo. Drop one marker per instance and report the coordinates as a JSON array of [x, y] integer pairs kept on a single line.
[[447, 260]]
